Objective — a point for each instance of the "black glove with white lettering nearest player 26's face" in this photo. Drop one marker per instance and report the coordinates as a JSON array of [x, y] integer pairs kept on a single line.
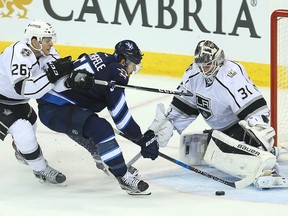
[[59, 68]]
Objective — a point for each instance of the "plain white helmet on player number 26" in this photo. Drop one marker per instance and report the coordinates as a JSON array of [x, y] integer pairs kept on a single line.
[[39, 29]]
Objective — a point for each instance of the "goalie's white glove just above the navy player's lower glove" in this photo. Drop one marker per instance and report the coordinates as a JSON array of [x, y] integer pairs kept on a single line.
[[162, 127]]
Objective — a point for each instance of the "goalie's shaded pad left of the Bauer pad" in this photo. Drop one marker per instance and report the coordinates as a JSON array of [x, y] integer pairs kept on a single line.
[[193, 147]]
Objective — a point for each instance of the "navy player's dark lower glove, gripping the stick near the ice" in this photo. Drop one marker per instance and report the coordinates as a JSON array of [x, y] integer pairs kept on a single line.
[[149, 145]]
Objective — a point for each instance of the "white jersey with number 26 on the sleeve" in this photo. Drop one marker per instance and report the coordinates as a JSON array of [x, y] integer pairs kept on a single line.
[[22, 75]]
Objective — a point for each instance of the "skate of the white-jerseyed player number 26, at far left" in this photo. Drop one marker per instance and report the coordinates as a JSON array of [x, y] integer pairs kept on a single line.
[[50, 175]]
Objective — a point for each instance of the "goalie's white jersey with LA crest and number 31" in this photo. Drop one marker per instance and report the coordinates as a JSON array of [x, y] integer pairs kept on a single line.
[[231, 97]]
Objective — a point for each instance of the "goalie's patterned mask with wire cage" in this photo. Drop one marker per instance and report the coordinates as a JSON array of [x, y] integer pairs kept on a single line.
[[209, 58]]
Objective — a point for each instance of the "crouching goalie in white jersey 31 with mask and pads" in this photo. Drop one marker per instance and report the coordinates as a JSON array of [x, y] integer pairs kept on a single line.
[[242, 140]]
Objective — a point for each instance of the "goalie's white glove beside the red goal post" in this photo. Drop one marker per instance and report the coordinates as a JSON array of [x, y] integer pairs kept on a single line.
[[263, 134]]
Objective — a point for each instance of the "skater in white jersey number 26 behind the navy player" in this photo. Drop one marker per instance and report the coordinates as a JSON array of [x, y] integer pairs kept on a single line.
[[29, 69]]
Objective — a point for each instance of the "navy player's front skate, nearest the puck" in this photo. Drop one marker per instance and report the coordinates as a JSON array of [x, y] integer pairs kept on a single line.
[[132, 184]]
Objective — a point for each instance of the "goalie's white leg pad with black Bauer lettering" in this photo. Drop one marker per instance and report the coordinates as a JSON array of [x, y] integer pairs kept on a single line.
[[237, 158]]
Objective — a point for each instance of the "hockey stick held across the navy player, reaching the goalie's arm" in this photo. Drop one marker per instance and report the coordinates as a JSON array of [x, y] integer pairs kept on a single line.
[[164, 91]]
